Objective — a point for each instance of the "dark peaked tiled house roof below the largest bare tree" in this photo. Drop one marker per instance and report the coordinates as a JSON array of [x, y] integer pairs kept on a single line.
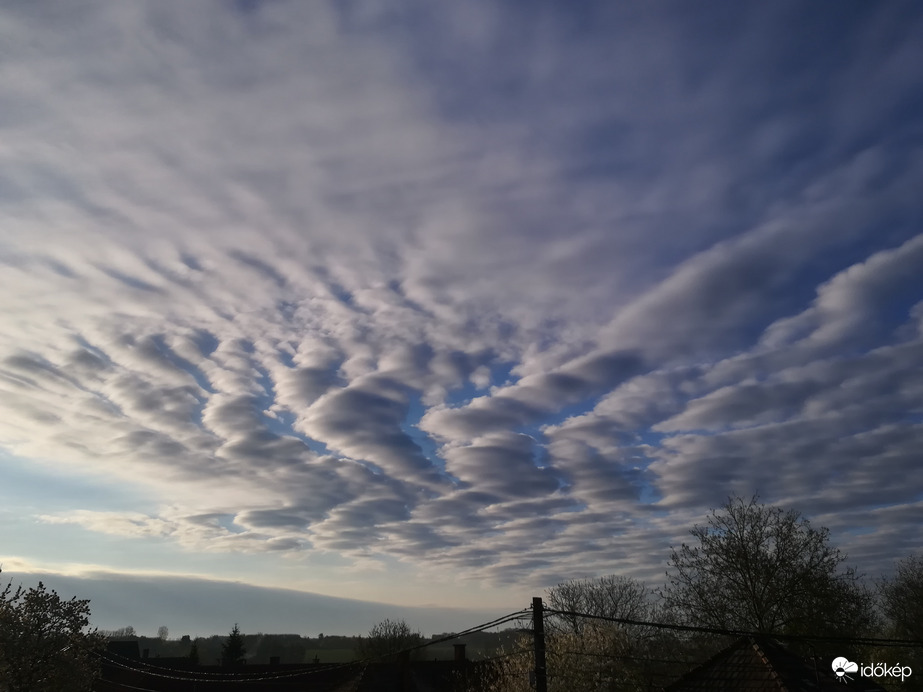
[[763, 665]]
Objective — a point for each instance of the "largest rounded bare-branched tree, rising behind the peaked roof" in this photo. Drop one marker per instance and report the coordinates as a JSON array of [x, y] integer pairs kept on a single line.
[[758, 567]]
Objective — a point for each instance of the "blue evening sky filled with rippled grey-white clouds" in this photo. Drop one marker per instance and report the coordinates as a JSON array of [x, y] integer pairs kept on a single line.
[[438, 305]]
